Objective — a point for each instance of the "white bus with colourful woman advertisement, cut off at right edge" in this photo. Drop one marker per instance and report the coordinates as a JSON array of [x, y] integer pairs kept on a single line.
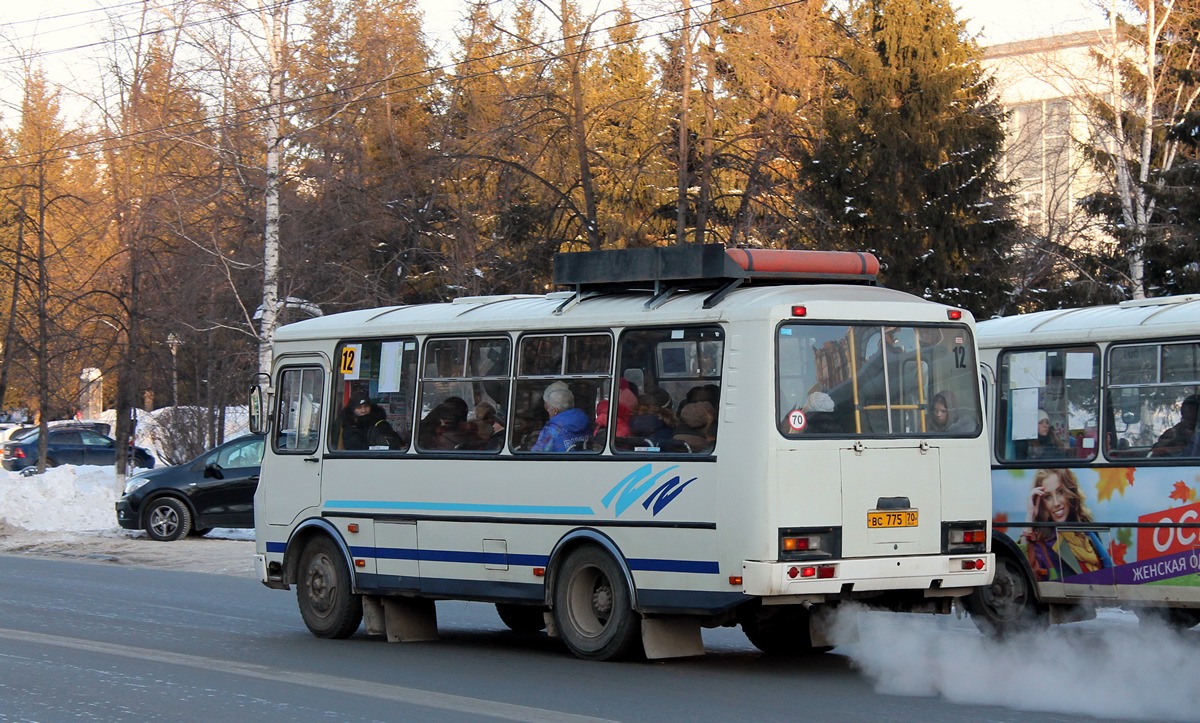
[[1096, 463]]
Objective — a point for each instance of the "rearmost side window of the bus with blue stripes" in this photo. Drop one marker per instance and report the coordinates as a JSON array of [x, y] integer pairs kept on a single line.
[[675, 377]]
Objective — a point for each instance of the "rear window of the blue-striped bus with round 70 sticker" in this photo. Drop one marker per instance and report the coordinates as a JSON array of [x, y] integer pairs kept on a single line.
[[874, 380]]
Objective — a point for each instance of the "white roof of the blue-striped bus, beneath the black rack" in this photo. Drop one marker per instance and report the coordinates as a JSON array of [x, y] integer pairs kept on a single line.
[[533, 313]]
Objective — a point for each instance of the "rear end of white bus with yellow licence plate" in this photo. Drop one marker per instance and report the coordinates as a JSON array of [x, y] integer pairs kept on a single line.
[[881, 481]]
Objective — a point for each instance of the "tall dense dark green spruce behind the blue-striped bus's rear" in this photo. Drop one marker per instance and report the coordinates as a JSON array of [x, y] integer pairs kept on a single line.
[[908, 165]]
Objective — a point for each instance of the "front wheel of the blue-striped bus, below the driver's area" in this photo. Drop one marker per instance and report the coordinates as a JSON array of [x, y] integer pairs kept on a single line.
[[323, 591]]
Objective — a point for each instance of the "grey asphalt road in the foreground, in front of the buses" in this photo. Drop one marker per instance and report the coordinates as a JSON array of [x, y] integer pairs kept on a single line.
[[101, 642]]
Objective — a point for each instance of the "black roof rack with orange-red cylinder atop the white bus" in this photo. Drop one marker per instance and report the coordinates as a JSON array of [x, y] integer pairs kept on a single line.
[[670, 270]]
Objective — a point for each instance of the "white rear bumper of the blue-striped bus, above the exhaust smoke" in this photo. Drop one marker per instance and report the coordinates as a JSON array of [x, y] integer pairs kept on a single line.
[[939, 576]]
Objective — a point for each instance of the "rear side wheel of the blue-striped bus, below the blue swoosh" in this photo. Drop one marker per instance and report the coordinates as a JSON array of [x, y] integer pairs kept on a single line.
[[593, 607]]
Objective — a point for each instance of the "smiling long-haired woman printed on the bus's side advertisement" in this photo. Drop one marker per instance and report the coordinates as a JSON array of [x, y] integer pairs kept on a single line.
[[1055, 554]]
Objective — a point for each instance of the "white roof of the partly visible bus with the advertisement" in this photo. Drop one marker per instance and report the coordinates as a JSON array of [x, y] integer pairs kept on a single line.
[[1162, 318]]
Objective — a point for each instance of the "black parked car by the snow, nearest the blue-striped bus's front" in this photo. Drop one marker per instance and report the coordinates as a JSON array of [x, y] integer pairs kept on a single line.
[[213, 491]]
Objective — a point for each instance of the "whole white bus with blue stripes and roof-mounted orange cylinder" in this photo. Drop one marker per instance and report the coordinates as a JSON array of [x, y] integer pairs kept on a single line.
[[692, 437]]
